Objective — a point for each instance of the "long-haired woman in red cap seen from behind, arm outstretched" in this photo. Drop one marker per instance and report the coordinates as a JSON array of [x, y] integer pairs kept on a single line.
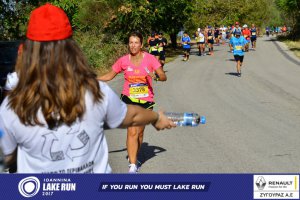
[[54, 116]]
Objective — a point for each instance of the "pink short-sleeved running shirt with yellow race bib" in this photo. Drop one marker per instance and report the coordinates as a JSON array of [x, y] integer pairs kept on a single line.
[[138, 84]]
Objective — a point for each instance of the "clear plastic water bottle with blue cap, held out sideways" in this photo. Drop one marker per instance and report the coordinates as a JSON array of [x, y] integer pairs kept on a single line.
[[186, 119]]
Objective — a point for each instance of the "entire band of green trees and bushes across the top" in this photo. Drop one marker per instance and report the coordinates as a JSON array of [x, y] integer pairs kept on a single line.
[[109, 22]]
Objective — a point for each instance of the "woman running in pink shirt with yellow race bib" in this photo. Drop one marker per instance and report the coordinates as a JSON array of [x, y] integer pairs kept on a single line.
[[138, 67]]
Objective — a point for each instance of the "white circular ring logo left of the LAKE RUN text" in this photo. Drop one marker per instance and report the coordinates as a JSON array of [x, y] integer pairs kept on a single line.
[[30, 186]]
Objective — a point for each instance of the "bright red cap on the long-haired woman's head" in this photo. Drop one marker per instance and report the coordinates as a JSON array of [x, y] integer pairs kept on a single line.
[[48, 23]]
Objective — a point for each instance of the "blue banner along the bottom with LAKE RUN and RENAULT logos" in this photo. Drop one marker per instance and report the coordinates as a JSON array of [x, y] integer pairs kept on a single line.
[[149, 186]]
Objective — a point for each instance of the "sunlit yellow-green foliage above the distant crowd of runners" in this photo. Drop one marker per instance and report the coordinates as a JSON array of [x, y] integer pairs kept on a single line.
[[226, 12]]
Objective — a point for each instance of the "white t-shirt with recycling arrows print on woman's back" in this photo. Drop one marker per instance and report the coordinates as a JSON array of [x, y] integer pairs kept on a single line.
[[79, 148]]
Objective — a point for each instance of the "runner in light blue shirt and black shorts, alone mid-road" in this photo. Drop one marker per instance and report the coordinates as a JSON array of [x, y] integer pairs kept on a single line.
[[238, 43]]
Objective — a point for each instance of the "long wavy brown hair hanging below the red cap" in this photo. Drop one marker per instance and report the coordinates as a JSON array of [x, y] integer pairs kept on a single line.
[[53, 78]]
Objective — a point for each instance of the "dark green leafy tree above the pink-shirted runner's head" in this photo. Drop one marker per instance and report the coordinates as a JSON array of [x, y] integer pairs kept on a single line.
[[147, 16]]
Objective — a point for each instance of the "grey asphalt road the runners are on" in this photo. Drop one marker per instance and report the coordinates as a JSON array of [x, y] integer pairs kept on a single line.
[[253, 121]]
